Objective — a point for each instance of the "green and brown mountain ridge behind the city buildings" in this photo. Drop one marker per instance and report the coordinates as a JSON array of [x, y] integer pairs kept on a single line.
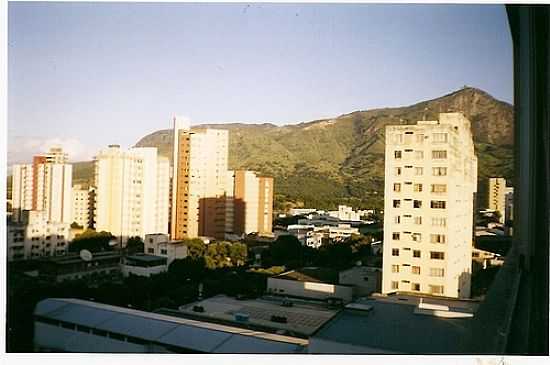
[[328, 162]]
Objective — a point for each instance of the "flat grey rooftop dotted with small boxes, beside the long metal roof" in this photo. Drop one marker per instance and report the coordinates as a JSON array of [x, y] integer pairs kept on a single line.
[[303, 318]]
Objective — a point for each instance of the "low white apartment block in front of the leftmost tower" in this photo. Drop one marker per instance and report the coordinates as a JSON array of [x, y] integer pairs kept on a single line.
[[36, 237]]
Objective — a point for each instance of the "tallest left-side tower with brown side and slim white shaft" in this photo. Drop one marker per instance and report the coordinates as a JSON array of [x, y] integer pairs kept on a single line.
[[199, 182]]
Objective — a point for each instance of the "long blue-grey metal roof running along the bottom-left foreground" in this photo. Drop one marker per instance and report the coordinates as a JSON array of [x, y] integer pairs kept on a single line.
[[181, 332]]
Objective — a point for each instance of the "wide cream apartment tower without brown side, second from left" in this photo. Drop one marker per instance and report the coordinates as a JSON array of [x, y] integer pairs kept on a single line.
[[131, 192]]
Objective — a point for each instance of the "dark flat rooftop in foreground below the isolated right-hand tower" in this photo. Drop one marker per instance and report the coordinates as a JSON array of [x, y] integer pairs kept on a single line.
[[390, 325]]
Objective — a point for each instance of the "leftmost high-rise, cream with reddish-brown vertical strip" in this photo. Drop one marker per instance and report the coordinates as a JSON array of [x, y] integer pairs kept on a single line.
[[44, 185]]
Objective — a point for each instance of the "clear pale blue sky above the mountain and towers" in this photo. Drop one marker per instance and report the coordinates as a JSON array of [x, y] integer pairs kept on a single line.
[[90, 74]]
